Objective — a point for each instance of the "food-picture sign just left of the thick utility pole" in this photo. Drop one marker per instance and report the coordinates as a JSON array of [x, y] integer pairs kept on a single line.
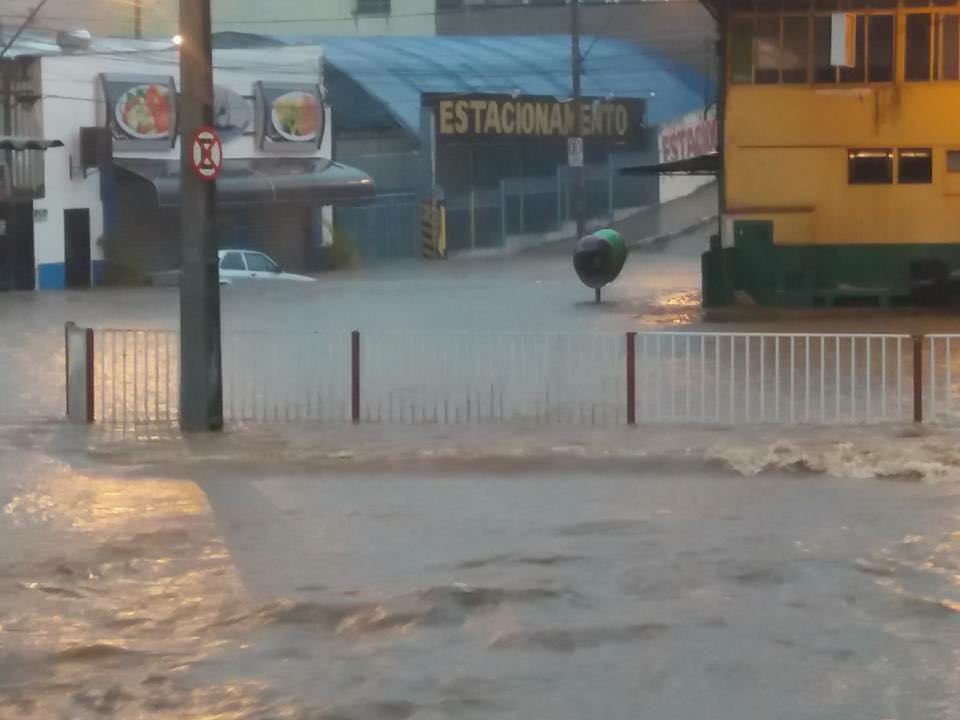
[[141, 110]]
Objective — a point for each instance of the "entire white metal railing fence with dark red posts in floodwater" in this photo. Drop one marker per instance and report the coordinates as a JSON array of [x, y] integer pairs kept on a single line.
[[584, 379]]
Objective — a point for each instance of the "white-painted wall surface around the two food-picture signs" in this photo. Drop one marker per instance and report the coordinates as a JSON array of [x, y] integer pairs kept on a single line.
[[70, 101]]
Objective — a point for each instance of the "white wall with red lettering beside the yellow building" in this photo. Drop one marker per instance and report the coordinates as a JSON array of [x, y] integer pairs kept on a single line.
[[686, 137]]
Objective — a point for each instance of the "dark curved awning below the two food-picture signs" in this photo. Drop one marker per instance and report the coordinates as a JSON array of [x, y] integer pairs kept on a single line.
[[310, 181]]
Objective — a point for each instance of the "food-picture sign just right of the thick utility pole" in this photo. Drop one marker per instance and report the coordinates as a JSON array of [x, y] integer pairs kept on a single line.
[[288, 116]]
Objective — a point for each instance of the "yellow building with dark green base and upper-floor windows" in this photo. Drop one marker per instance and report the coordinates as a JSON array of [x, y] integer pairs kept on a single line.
[[839, 184]]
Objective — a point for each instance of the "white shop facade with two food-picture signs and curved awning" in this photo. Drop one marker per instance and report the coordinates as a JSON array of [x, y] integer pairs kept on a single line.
[[111, 213]]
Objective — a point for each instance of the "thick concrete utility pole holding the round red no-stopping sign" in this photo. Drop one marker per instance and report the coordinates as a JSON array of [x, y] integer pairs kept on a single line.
[[201, 380]]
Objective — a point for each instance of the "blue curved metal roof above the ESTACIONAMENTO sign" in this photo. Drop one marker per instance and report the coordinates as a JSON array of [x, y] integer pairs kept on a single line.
[[396, 70]]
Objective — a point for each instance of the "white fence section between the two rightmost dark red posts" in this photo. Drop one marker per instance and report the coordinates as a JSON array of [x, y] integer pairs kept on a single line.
[[767, 377]]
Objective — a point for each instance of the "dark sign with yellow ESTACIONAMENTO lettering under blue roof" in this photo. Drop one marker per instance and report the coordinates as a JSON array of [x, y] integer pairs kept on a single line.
[[505, 115]]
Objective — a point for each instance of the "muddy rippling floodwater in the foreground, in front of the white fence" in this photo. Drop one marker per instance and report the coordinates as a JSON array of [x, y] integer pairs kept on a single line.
[[171, 581]]
